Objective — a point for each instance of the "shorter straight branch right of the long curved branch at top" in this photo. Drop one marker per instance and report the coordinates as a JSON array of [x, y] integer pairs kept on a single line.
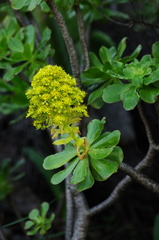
[[82, 36]]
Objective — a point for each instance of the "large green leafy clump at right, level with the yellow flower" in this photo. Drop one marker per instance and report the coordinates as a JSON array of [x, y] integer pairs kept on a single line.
[[123, 79]]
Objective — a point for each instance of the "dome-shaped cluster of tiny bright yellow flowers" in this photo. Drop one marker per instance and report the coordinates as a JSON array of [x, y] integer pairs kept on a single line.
[[55, 101]]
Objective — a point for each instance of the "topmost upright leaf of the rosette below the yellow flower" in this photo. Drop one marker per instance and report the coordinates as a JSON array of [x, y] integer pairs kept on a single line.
[[94, 129]]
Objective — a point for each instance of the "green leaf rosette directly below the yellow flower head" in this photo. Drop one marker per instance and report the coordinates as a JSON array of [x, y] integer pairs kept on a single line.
[[100, 158]]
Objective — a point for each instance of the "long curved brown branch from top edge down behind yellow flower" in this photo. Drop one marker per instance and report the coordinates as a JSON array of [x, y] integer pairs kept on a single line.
[[67, 38]]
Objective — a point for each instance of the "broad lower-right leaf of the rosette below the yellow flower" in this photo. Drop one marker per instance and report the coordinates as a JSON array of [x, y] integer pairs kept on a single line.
[[104, 167]]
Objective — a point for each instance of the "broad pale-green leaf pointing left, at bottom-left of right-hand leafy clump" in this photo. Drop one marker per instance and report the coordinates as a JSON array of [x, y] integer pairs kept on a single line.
[[112, 93]]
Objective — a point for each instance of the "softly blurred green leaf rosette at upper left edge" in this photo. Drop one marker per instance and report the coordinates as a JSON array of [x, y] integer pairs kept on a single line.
[[18, 51]]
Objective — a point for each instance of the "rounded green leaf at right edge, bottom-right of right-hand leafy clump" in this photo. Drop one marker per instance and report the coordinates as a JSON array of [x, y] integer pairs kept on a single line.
[[149, 94]]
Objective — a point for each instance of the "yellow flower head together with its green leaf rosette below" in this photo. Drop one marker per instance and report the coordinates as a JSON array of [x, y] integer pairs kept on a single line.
[[56, 103]]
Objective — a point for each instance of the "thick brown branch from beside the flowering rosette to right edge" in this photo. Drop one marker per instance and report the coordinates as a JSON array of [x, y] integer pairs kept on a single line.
[[140, 178]]
